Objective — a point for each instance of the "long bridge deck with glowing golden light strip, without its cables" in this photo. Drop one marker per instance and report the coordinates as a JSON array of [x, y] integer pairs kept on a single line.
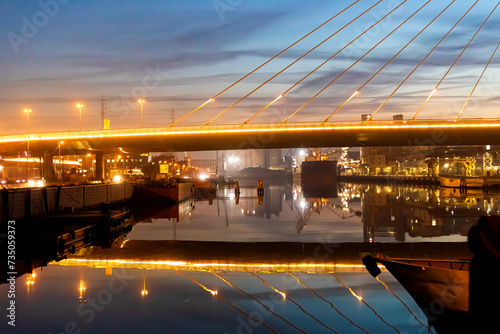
[[260, 136]]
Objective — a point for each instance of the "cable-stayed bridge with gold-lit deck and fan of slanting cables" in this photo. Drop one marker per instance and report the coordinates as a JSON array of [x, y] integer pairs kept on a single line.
[[260, 130]]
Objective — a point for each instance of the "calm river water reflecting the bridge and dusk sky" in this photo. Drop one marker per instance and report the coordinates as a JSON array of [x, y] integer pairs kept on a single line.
[[139, 286]]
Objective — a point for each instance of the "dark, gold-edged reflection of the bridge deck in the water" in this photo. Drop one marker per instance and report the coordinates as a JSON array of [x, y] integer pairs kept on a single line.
[[268, 257]]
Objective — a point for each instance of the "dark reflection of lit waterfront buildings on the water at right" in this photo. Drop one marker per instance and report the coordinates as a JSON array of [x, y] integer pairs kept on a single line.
[[405, 212]]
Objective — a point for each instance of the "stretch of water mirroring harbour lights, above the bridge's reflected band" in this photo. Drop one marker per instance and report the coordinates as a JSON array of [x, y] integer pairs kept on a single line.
[[365, 213]]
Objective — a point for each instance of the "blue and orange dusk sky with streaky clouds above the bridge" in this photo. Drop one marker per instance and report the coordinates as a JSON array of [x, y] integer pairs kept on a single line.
[[178, 54]]
